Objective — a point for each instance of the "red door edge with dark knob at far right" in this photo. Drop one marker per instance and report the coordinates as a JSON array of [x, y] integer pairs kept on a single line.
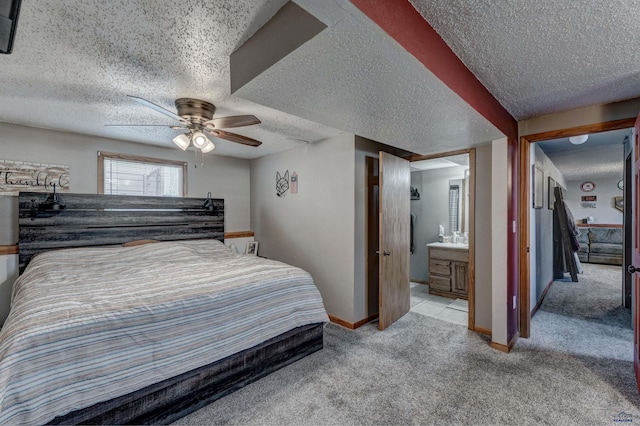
[[635, 201]]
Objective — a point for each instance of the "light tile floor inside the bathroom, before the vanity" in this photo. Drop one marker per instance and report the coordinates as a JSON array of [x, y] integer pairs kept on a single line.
[[439, 307]]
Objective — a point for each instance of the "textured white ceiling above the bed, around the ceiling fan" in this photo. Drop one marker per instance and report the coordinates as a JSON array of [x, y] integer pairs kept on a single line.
[[74, 62]]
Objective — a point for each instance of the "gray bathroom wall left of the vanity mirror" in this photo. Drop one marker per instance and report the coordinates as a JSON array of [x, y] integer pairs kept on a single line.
[[431, 210]]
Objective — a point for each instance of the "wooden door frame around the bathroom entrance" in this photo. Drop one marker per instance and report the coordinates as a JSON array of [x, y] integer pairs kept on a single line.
[[472, 227]]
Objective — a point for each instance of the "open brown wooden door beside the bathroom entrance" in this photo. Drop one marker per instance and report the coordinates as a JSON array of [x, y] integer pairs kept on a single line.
[[394, 239]]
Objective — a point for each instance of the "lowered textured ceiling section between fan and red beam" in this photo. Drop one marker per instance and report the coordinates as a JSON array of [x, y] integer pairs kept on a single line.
[[353, 76]]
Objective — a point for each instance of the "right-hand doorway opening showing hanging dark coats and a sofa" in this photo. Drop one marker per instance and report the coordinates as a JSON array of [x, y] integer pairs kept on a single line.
[[587, 174]]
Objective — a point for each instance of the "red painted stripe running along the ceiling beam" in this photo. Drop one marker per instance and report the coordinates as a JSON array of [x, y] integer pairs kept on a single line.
[[403, 23]]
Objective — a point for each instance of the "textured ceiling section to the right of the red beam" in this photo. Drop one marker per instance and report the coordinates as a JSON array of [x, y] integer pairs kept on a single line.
[[544, 56]]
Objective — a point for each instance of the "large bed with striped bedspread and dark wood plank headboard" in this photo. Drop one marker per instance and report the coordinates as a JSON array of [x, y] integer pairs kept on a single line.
[[147, 333]]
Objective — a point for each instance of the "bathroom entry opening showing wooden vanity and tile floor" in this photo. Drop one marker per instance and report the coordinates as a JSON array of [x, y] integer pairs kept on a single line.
[[442, 219]]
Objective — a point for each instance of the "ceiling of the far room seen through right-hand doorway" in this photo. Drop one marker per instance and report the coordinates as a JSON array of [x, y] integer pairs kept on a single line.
[[600, 157]]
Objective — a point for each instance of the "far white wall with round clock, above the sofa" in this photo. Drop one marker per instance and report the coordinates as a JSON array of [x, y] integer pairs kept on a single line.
[[605, 212]]
